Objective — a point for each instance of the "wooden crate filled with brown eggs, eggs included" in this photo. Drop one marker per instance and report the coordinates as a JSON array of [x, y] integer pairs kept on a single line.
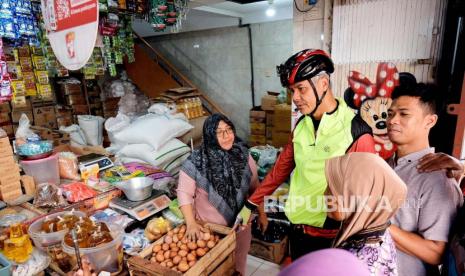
[[174, 254]]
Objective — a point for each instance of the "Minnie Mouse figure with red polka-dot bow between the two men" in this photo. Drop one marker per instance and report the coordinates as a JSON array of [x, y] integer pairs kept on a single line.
[[372, 100]]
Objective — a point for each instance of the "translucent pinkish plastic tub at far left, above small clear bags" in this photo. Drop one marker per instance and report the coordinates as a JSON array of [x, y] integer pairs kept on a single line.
[[43, 170]]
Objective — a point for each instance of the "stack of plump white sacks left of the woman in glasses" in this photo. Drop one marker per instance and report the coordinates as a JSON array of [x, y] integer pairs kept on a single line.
[[150, 138]]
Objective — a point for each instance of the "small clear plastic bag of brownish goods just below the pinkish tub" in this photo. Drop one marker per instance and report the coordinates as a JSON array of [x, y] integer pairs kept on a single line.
[[48, 196]]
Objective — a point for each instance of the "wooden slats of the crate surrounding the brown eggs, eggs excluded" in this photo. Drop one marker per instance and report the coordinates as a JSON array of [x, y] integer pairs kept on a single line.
[[219, 261]]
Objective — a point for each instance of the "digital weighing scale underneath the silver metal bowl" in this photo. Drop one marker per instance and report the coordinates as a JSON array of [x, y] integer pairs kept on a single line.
[[143, 209]]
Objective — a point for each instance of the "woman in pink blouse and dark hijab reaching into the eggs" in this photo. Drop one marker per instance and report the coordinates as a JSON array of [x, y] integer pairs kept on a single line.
[[215, 181]]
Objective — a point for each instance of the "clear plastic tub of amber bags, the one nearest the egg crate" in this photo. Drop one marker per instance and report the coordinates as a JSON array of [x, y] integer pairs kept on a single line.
[[105, 257]]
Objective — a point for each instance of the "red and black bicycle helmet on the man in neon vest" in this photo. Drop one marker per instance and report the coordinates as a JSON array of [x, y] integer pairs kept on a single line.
[[304, 65]]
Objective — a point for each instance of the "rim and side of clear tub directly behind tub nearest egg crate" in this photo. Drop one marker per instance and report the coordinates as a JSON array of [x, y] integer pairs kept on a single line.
[[44, 240]]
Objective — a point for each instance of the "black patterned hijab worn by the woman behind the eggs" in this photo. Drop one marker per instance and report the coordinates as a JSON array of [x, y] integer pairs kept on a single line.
[[224, 175]]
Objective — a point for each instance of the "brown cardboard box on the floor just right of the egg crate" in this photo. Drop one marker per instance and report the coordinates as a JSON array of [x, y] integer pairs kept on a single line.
[[273, 252]]
